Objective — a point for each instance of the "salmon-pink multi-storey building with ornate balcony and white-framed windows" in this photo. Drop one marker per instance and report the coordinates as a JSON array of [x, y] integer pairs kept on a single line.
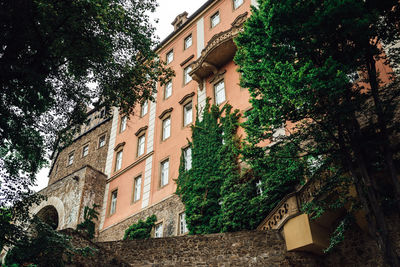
[[144, 150]]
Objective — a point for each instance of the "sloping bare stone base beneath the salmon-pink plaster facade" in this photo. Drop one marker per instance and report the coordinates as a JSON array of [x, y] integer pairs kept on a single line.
[[166, 211]]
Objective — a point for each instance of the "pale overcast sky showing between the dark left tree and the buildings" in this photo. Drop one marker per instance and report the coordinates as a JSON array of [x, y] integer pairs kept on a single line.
[[166, 12]]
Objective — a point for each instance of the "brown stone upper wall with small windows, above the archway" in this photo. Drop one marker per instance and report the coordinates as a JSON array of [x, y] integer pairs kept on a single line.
[[96, 157]]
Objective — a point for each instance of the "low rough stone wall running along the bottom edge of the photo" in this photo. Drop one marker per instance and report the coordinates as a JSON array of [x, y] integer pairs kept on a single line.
[[250, 248]]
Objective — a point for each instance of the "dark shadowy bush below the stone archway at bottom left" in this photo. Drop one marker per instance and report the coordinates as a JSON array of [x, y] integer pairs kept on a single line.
[[44, 247]]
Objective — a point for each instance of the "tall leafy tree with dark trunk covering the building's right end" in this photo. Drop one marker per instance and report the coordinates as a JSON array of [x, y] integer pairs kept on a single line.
[[298, 59]]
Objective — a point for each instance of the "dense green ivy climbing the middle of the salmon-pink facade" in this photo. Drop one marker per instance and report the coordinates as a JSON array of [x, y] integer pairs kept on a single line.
[[217, 196]]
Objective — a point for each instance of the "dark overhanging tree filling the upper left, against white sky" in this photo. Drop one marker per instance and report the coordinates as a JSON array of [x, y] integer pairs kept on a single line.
[[49, 53]]
